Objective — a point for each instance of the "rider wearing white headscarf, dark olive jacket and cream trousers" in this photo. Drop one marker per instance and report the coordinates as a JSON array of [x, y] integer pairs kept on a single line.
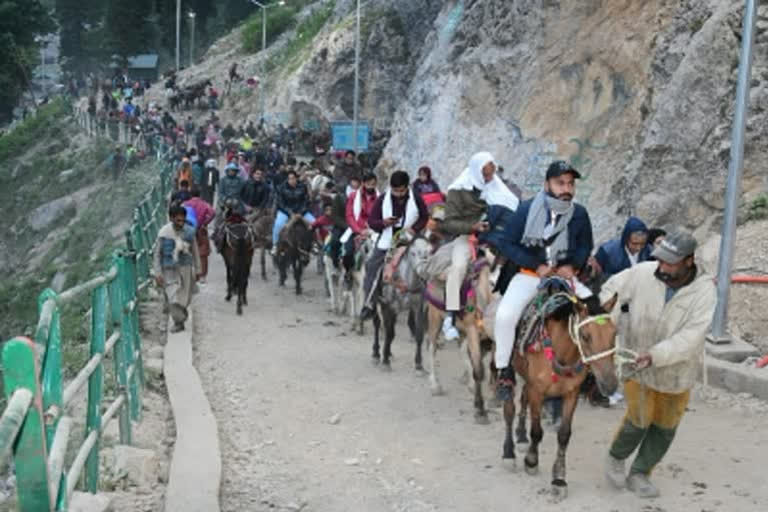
[[467, 202]]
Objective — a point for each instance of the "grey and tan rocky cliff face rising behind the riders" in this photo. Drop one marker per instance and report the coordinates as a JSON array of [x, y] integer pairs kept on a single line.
[[638, 94]]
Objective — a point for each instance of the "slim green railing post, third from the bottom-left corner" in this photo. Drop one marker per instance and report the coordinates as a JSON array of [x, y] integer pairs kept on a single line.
[[95, 384]]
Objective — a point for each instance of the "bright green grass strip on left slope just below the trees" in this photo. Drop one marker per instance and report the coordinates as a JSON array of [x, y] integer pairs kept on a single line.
[[34, 129]]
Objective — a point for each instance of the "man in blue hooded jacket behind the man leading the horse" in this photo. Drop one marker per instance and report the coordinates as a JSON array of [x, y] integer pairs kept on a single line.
[[621, 253]]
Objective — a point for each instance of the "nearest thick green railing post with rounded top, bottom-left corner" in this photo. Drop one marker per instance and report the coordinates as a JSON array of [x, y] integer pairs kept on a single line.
[[30, 454]]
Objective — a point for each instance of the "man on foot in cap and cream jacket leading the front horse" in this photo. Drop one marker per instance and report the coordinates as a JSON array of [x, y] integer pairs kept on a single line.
[[670, 303]]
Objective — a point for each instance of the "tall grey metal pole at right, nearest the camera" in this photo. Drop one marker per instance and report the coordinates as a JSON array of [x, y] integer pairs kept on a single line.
[[733, 189]]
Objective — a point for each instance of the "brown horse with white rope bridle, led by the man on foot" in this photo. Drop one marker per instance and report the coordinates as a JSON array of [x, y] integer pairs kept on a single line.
[[557, 339]]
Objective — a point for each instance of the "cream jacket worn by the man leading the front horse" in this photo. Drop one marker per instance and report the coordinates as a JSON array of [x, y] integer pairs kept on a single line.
[[672, 332]]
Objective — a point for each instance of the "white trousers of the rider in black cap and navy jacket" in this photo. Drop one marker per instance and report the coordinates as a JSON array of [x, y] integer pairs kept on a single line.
[[521, 290]]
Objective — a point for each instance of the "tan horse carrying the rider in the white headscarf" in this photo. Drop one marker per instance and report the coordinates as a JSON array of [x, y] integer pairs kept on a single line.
[[475, 342]]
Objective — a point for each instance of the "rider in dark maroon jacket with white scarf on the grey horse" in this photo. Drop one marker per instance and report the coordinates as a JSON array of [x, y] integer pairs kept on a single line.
[[397, 210]]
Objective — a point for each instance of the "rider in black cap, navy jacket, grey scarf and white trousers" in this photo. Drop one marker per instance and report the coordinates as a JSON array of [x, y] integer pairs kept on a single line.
[[548, 235]]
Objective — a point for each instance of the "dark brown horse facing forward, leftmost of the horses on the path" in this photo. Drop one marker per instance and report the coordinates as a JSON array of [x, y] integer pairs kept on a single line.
[[237, 251]]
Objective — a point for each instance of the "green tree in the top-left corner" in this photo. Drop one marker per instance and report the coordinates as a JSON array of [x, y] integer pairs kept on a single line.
[[20, 22]]
